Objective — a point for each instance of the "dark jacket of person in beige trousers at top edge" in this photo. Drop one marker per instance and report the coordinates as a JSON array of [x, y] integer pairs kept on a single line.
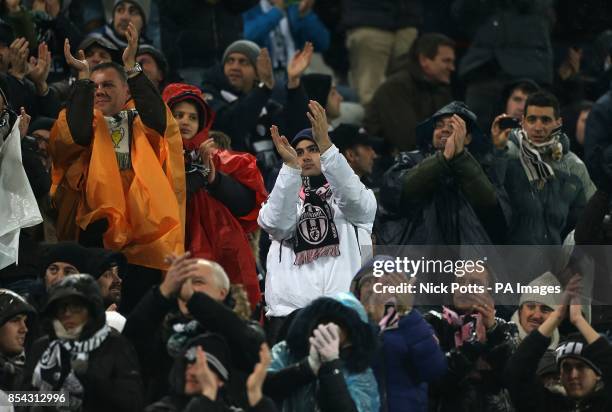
[[387, 15]]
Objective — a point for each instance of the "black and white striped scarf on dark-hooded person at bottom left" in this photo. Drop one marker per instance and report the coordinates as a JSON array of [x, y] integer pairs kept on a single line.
[[55, 369]]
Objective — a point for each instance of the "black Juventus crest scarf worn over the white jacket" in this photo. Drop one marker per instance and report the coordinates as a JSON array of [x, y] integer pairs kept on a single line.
[[316, 233]]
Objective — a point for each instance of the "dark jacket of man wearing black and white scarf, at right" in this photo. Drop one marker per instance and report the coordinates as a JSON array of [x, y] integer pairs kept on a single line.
[[545, 216]]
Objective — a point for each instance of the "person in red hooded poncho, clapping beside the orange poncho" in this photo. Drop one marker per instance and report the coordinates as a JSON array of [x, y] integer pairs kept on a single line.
[[225, 191]]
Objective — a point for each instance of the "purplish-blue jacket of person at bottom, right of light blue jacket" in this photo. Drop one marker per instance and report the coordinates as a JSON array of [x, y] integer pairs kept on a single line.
[[409, 357]]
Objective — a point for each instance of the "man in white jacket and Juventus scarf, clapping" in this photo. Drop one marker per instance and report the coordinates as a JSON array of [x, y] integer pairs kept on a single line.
[[319, 216]]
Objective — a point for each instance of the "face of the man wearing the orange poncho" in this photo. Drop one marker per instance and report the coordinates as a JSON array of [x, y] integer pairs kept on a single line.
[[111, 91]]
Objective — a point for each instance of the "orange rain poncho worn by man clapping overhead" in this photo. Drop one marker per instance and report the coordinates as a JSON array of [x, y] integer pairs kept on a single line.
[[144, 205]]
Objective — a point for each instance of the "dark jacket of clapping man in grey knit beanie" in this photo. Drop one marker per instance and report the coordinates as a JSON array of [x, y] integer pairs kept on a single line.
[[240, 115]]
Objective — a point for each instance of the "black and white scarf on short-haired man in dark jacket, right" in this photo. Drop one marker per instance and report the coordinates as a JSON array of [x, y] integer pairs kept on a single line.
[[536, 169]]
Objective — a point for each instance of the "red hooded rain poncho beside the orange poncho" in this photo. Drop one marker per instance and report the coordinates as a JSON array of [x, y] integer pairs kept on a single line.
[[212, 232]]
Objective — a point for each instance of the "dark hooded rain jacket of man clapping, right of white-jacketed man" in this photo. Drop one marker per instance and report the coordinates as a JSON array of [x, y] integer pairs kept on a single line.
[[429, 200]]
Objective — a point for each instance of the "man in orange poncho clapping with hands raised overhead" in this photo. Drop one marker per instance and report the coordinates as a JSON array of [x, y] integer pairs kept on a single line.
[[118, 175]]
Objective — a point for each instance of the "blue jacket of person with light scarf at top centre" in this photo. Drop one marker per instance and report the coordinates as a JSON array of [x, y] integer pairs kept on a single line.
[[258, 25]]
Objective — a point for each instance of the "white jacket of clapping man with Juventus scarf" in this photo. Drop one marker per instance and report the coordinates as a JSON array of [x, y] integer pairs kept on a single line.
[[289, 286]]
